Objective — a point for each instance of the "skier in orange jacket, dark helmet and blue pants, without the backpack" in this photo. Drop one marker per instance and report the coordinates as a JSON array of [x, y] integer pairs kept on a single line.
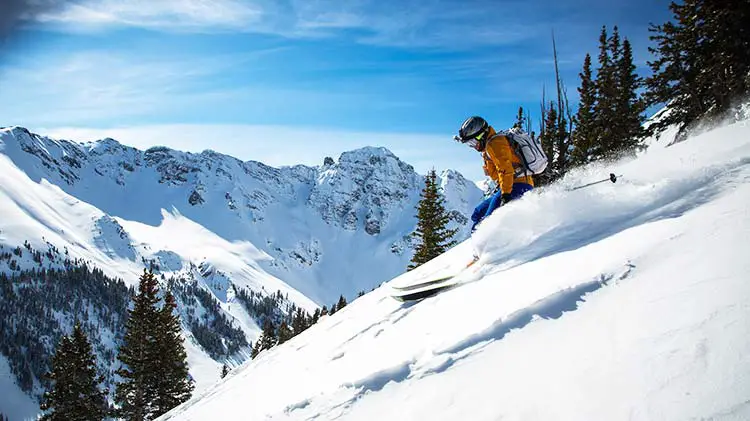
[[501, 164]]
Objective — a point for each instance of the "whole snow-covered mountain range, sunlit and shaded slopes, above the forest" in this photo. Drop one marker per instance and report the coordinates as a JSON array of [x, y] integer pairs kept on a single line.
[[212, 225]]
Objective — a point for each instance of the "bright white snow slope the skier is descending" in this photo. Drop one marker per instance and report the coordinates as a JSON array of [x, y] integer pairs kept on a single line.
[[620, 301]]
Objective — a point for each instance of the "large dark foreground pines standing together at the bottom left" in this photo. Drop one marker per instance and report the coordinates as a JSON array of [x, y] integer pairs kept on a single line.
[[153, 373]]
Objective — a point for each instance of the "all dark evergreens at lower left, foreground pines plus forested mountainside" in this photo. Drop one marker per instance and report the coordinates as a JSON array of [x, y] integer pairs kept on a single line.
[[152, 376]]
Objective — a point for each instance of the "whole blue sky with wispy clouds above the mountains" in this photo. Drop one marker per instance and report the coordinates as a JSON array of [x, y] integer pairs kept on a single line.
[[292, 81]]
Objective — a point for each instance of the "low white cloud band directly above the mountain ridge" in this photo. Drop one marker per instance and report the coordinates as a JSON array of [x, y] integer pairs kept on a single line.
[[281, 146]]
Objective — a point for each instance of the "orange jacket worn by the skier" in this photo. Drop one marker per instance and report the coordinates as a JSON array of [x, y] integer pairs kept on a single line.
[[501, 162]]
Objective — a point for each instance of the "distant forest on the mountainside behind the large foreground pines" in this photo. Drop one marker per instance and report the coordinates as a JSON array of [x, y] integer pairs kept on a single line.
[[44, 291]]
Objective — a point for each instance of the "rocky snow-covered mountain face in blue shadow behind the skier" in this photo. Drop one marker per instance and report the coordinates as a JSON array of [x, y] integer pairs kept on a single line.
[[302, 221]]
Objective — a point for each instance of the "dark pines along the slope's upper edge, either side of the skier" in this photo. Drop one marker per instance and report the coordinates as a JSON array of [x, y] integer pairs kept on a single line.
[[701, 72]]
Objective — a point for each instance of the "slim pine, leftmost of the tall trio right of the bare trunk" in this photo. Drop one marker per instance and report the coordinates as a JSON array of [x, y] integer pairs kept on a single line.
[[584, 135]]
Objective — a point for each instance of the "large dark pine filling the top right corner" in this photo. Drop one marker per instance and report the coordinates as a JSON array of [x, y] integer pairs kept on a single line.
[[702, 61]]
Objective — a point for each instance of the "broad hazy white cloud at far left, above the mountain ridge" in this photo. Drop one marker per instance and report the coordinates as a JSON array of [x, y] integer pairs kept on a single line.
[[88, 86]]
